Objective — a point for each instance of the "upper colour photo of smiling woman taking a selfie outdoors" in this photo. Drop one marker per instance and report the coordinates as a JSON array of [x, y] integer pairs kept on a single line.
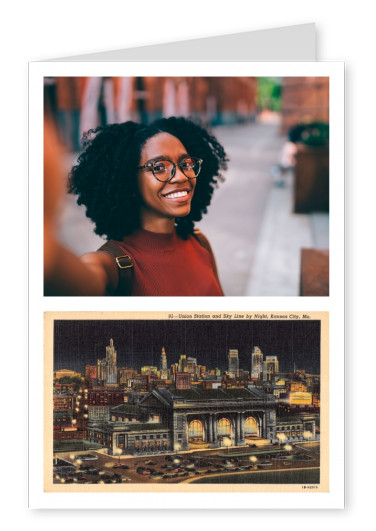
[[186, 186]]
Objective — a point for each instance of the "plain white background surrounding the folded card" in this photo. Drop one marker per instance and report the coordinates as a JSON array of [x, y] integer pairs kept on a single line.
[[41, 30]]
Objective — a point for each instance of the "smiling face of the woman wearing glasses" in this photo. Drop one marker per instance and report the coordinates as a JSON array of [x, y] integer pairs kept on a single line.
[[162, 202]]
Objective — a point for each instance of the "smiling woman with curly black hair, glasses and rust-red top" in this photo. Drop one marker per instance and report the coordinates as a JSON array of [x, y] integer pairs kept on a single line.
[[144, 187]]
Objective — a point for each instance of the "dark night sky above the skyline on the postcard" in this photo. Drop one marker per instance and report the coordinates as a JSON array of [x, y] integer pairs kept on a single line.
[[80, 343]]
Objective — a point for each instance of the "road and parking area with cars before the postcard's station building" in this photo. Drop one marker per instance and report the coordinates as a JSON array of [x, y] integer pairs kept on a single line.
[[212, 465]]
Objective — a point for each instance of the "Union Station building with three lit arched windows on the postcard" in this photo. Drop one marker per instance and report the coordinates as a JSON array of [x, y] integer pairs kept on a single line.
[[172, 420]]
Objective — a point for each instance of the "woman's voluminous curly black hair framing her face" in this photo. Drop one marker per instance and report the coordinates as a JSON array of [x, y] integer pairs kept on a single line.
[[105, 176]]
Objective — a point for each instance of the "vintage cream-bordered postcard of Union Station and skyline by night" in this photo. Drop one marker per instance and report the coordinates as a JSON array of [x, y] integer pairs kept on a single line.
[[186, 402]]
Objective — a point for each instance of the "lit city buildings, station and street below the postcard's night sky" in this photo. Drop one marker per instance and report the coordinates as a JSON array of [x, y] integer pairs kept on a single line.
[[151, 413]]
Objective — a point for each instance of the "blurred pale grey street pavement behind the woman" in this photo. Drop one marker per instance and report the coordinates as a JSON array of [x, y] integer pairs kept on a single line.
[[255, 235]]
